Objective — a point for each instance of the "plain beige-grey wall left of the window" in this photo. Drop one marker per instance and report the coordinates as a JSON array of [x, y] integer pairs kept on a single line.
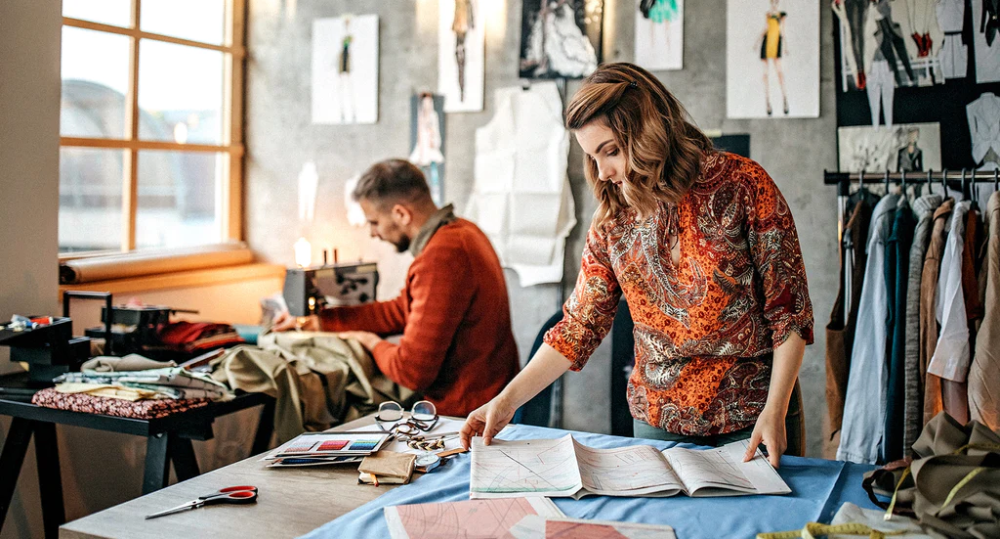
[[29, 199]]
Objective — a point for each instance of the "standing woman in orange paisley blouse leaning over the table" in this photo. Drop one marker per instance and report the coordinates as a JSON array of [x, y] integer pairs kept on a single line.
[[704, 249]]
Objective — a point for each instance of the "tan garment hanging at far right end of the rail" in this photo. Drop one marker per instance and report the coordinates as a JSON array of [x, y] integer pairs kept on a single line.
[[984, 373]]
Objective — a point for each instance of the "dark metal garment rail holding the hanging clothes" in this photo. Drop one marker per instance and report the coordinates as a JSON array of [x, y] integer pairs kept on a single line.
[[961, 181]]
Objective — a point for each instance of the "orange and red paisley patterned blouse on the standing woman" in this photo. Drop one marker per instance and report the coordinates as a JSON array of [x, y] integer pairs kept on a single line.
[[705, 327]]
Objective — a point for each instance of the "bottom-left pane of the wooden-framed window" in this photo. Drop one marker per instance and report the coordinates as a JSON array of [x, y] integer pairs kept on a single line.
[[90, 199]]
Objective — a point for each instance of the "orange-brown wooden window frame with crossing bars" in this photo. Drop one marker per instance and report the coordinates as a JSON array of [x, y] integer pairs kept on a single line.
[[229, 207]]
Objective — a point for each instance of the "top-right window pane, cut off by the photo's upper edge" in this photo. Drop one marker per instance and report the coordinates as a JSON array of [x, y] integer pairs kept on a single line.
[[197, 20]]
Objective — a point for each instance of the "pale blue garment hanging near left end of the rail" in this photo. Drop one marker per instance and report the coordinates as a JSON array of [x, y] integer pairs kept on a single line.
[[864, 420]]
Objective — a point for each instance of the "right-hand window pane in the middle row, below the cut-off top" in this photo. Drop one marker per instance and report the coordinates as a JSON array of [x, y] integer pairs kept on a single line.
[[180, 90]]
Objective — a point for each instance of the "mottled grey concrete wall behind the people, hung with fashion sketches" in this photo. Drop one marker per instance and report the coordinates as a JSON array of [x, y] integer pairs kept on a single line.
[[281, 138]]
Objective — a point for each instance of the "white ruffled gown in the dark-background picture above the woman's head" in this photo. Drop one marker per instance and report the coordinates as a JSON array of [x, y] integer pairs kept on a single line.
[[556, 45]]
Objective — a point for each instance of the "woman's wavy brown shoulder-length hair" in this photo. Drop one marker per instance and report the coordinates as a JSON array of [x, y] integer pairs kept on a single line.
[[663, 149]]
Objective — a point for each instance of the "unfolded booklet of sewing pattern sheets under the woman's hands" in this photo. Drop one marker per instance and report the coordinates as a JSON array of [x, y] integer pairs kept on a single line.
[[564, 468]]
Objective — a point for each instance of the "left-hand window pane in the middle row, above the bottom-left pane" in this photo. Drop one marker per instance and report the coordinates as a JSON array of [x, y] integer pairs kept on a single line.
[[94, 83]]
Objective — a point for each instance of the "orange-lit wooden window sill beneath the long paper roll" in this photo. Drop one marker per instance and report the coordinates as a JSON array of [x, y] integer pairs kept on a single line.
[[182, 279]]
